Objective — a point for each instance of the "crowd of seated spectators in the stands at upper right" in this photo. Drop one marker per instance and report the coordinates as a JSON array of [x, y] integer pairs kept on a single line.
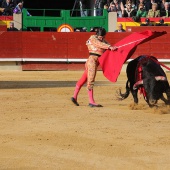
[[139, 8]]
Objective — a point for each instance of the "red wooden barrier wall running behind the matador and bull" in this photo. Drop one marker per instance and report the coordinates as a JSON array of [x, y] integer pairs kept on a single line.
[[33, 47]]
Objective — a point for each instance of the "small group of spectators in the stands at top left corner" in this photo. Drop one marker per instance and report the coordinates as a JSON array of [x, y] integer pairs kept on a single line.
[[9, 7]]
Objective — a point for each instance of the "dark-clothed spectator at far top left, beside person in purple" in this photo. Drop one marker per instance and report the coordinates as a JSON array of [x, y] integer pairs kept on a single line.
[[8, 8]]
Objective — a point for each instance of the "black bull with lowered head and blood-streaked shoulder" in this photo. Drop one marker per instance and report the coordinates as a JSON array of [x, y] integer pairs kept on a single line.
[[146, 75]]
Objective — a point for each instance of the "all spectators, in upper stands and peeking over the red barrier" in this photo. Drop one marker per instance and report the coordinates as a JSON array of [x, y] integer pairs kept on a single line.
[[135, 9]]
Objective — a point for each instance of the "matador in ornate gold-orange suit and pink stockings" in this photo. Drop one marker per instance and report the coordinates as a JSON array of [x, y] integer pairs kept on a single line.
[[96, 45]]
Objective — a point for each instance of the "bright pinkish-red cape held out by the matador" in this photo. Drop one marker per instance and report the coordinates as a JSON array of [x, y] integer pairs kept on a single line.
[[111, 62]]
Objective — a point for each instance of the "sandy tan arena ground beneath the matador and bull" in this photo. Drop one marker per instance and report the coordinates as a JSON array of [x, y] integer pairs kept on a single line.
[[41, 129]]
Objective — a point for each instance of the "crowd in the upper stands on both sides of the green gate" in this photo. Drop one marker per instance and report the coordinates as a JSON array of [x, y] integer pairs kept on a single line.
[[124, 8]]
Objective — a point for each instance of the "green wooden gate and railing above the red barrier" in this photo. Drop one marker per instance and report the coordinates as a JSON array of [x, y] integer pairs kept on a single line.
[[65, 17]]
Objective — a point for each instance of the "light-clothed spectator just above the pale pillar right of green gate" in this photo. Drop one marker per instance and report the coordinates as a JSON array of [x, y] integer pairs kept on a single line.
[[117, 6]]
